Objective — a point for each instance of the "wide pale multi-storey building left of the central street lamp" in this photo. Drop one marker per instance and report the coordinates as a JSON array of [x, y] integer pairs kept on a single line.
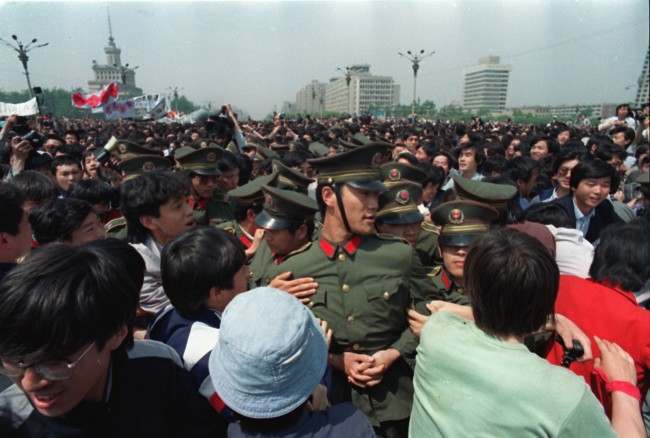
[[365, 91]]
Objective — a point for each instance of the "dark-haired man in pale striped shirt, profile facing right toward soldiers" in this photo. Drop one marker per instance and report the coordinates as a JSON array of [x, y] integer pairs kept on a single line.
[[156, 210]]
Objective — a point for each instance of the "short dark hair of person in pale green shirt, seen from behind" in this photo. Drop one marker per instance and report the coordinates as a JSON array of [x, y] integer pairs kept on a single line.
[[512, 281]]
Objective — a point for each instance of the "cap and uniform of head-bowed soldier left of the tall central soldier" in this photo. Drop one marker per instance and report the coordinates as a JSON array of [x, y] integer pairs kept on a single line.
[[282, 209]]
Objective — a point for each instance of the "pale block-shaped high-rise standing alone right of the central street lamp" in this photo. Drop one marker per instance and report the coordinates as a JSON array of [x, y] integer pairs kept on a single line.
[[486, 84]]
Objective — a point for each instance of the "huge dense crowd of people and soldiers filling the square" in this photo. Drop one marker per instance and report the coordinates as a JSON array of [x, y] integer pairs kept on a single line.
[[324, 277]]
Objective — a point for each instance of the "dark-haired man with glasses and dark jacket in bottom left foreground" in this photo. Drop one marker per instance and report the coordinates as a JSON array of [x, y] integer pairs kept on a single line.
[[66, 342]]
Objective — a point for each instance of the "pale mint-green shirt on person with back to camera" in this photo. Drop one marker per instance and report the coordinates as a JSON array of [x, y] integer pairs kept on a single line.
[[470, 384]]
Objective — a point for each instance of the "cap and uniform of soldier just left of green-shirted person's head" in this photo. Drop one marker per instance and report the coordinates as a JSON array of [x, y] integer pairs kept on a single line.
[[461, 222]]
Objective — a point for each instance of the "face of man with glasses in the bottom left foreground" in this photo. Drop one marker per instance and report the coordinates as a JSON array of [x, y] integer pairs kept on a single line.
[[54, 398]]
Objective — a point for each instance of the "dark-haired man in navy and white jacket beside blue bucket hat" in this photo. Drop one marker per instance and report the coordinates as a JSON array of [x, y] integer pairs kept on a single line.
[[202, 271]]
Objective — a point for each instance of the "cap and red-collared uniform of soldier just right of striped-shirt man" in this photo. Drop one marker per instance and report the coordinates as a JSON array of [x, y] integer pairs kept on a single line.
[[202, 162]]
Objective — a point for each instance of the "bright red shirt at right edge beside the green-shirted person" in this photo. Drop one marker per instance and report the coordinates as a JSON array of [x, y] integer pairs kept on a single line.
[[612, 315]]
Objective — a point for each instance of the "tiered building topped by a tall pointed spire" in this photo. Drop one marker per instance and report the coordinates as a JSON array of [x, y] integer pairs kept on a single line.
[[113, 70]]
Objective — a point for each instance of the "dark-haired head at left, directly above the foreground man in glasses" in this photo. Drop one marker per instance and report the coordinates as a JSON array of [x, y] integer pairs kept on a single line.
[[66, 220]]
